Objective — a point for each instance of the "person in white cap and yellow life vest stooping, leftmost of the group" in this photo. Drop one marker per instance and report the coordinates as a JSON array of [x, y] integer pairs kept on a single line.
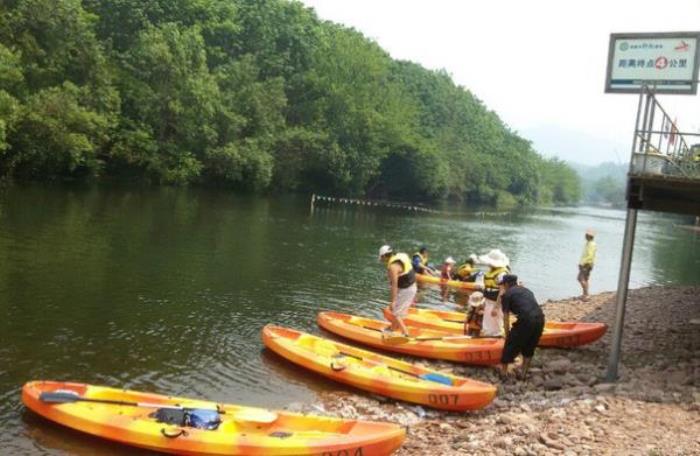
[[402, 281]]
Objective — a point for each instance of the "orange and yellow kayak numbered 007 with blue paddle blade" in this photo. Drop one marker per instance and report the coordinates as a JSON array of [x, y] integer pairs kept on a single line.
[[376, 373]]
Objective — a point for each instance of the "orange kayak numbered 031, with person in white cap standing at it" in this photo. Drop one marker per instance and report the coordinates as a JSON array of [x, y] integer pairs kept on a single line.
[[423, 342]]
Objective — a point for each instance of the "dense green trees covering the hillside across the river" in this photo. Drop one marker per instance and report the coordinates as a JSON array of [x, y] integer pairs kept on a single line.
[[255, 94]]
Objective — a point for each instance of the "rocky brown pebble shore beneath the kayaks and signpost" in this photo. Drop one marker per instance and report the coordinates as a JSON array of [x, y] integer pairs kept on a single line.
[[565, 407]]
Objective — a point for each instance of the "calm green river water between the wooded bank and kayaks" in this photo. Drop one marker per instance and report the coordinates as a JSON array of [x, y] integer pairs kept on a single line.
[[166, 290]]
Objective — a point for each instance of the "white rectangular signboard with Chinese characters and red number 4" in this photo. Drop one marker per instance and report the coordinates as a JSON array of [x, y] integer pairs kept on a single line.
[[667, 62]]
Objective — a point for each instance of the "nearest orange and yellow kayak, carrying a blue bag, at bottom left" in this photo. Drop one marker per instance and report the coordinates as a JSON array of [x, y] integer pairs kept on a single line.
[[126, 417]]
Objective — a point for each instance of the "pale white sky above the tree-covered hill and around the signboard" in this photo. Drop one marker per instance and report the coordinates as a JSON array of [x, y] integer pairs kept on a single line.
[[539, 64]]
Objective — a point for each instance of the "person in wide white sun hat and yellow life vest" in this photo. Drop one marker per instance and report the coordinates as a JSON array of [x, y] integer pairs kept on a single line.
[[499, 265]]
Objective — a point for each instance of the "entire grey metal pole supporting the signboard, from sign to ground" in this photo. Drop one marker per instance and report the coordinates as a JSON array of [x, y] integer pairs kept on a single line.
[[626, 261]]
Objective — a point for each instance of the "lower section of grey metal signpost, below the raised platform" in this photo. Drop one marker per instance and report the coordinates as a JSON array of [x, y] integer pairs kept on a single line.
[[621, 299]]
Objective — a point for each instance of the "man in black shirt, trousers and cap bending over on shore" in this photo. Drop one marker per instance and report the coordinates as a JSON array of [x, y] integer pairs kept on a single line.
[[527, 330]]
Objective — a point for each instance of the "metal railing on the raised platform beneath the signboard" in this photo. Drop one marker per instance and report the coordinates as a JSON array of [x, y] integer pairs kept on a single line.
[[659, 146]]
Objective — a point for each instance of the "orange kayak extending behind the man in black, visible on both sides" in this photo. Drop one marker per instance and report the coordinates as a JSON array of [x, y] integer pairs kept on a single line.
[[556, 334]]
